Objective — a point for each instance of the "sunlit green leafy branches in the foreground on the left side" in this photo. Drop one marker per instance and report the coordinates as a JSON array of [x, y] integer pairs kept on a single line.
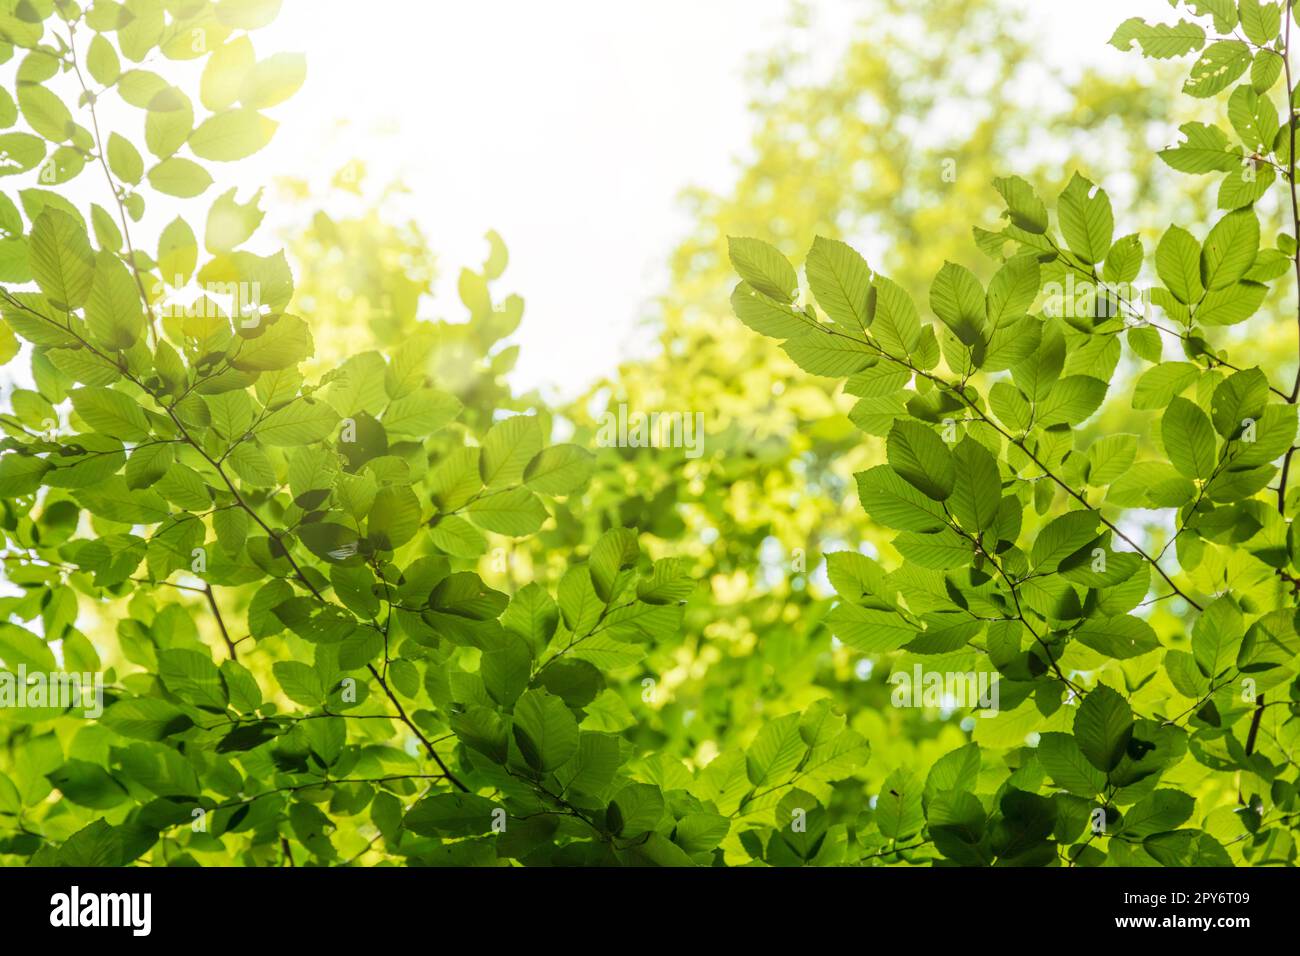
[[177, 462]]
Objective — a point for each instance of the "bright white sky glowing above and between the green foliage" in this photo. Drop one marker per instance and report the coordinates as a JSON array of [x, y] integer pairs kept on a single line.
[[570, 127]]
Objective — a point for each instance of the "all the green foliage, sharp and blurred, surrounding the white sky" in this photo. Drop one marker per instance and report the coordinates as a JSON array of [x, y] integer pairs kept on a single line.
[[354, 600]]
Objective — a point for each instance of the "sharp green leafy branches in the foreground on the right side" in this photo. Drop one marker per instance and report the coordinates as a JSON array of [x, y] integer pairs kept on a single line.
[[1016, 543]]
